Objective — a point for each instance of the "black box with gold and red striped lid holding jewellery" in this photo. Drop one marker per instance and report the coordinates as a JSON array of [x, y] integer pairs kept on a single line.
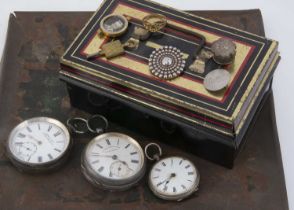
[[180, 111]]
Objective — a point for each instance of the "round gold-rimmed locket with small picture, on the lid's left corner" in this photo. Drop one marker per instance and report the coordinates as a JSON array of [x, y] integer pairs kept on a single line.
[[114, 25]]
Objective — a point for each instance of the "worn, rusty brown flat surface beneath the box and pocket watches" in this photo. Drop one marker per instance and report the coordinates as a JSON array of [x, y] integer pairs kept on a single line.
[[29, 87]]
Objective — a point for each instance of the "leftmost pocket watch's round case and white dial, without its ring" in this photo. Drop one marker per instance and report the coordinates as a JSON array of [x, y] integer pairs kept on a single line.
[[38, 144]]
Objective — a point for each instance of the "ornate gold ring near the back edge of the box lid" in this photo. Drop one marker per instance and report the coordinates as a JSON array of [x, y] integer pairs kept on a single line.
[[154, 22]]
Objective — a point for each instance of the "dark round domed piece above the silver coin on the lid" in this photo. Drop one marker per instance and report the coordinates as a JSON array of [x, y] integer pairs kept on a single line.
[[224, 51]]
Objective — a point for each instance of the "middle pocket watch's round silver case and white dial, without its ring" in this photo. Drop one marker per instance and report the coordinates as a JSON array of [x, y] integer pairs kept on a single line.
[[113, 161]]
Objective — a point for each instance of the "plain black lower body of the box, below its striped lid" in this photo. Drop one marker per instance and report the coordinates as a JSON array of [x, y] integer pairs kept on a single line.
[[204, 145]]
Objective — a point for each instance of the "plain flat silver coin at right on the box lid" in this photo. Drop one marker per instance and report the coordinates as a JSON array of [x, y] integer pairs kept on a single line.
[[217, 80]]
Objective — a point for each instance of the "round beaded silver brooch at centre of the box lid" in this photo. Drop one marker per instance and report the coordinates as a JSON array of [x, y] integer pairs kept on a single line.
[[166, 62]]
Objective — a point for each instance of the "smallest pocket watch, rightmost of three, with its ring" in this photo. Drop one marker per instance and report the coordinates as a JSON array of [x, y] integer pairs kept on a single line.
[[172, 178]]
